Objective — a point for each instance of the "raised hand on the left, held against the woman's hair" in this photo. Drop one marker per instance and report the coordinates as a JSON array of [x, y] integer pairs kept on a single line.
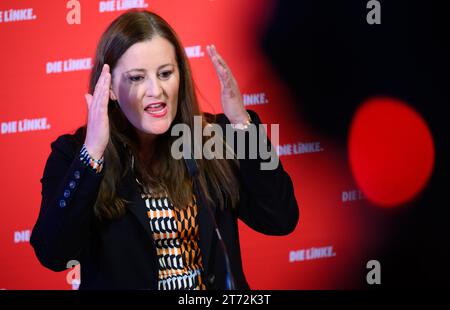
[[97, 133]]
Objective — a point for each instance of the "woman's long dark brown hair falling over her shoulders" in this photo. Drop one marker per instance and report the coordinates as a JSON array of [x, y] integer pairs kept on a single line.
[[217, 177]]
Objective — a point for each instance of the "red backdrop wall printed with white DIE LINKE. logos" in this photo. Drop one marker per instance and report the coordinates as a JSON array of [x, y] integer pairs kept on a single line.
[[329, 248]]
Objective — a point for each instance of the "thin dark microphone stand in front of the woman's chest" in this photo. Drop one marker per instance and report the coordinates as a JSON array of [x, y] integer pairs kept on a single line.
[[192, 167]]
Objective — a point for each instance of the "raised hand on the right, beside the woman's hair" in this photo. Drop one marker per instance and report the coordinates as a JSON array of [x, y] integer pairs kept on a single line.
[[232, 103]]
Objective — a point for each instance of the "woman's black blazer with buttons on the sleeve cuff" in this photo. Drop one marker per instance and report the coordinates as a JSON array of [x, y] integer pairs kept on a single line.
[[120, 253]]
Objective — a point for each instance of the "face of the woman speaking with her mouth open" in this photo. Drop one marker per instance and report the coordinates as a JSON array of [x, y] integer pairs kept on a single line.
[[145, 82]]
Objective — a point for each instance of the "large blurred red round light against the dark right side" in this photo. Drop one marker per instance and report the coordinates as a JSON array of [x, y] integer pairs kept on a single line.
[[391, 151]]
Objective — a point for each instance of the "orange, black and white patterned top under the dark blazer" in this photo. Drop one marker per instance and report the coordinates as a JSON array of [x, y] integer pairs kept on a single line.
[[176, 235]]
